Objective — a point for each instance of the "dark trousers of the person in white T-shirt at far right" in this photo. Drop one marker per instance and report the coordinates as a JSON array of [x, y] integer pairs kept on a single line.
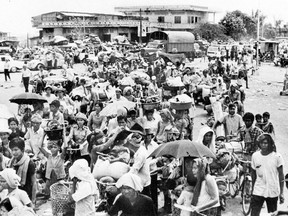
[[257, 203]]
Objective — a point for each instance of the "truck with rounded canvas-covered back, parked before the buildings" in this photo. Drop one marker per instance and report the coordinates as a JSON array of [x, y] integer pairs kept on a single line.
[[171, 42]]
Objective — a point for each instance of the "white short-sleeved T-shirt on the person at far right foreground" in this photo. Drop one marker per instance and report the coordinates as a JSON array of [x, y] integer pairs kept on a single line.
[[267, 180]]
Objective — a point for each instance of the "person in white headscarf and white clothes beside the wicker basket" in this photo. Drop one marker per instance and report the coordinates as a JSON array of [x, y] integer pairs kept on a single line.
[[84, 188]]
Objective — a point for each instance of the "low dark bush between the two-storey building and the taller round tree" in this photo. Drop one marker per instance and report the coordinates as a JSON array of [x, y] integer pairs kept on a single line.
[[210, 31]]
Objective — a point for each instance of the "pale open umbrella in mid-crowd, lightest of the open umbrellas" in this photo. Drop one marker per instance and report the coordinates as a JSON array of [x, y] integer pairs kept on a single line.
[[111, 108]]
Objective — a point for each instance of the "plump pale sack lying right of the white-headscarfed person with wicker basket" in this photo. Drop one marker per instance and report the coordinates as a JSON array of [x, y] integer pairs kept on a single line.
[[104, 168]]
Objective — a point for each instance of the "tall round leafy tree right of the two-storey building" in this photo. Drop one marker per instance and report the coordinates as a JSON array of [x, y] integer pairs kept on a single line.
[[238, 24]]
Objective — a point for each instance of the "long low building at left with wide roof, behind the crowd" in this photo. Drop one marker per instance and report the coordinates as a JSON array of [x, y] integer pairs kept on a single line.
[[77, 24]]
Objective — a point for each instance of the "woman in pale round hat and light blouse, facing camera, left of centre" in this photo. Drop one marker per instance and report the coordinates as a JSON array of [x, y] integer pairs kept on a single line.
[[78, 136]]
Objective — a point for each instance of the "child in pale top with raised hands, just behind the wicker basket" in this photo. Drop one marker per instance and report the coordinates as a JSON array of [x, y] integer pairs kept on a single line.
[[55, 163]]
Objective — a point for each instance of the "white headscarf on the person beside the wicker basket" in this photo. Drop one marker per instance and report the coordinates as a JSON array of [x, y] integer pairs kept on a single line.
[[81, 170]]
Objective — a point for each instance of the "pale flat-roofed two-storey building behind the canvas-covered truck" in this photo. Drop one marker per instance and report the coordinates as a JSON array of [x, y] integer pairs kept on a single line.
[[173, 17]]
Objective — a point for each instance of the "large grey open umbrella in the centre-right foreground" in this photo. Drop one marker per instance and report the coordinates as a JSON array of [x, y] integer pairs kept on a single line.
[[183, 148]]
